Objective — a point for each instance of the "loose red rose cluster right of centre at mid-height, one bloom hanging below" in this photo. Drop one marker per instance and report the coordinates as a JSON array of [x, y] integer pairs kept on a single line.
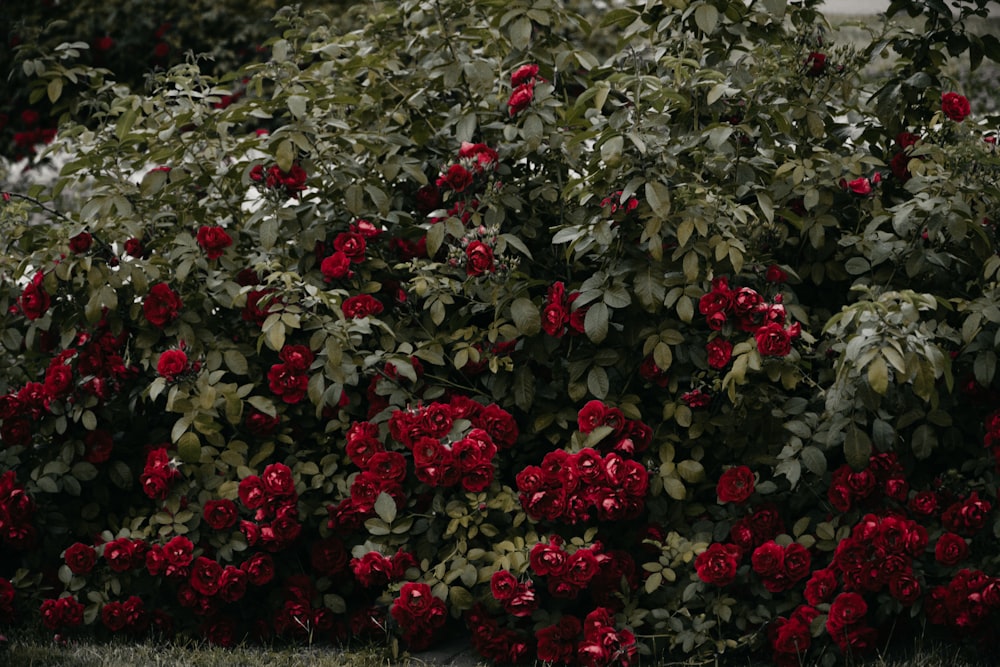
[[745, 309]]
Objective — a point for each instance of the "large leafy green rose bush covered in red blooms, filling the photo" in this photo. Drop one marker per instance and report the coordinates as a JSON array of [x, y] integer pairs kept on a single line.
[[601, 335]]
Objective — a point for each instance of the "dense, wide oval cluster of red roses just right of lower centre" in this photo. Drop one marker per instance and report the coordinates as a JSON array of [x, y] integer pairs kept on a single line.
[[575, 487]]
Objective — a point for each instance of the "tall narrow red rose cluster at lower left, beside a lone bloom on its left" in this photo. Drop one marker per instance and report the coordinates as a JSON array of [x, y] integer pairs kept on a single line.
[[274, 501]]
